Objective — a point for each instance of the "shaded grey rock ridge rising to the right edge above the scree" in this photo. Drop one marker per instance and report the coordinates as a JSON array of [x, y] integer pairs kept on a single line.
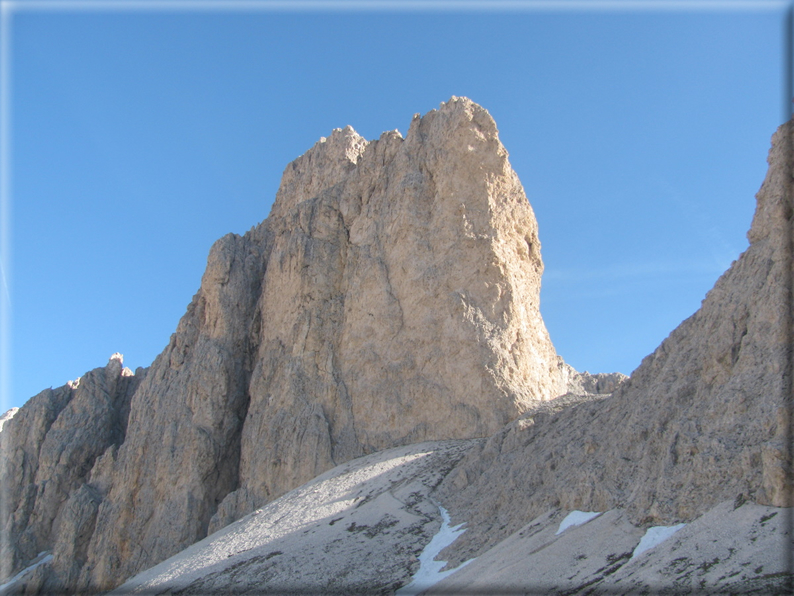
[[704, 419]]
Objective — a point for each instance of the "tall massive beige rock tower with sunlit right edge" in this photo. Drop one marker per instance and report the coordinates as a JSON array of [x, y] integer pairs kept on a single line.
[[401, 294]]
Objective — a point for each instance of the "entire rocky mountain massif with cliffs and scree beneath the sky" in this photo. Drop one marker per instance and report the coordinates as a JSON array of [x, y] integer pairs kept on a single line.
[[390, 301]]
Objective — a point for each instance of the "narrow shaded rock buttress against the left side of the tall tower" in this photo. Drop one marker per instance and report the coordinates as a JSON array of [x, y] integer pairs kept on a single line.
[[182, 451]]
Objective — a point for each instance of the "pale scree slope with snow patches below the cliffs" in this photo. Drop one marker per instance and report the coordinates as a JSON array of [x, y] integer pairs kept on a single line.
[[372, 526]]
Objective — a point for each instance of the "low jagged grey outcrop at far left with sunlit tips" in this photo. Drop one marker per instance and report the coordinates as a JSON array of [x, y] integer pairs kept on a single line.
[[49, 449]]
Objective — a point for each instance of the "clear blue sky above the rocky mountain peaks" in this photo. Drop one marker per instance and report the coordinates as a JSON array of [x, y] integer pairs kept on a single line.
[[140, 137]]
